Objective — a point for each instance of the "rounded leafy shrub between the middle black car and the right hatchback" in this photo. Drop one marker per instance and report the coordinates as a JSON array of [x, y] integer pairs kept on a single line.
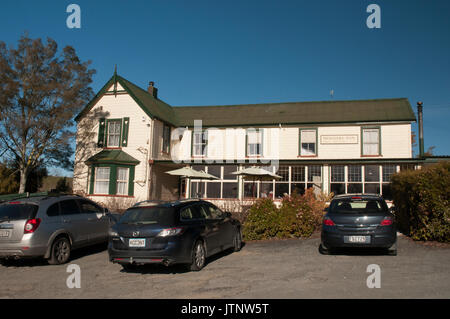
[[298, 216]]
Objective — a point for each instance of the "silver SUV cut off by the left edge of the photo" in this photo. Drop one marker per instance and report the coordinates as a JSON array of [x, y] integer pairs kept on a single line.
[[50, 227]]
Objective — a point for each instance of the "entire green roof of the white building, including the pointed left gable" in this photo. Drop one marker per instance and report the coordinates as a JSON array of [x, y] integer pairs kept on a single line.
[[299, 113]]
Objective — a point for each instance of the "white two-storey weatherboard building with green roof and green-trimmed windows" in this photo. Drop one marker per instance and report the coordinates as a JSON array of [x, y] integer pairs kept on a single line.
[[127, 138]]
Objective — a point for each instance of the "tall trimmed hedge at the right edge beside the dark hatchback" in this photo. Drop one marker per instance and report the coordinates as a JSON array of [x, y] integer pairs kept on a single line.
[[421, 199]]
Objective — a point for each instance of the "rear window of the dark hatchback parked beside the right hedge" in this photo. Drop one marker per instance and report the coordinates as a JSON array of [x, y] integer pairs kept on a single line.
[[355, 206]]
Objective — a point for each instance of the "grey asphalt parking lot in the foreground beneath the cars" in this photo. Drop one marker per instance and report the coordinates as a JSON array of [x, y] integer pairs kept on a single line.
[[271, 269]]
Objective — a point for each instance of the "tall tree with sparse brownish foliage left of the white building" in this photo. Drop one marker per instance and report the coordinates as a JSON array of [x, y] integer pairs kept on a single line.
[[41, 90]]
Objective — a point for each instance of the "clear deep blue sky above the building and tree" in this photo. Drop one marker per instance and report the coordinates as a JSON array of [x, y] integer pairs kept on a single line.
[[231, 52]]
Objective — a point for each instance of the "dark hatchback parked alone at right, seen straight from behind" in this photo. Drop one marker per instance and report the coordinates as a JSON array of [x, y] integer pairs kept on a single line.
[[358, 221]]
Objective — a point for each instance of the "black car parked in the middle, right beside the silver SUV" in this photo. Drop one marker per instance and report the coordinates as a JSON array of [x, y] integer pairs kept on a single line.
[[179, 232]]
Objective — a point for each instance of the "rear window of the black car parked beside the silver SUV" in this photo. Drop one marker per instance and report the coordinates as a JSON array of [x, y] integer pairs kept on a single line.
[[163, 216]]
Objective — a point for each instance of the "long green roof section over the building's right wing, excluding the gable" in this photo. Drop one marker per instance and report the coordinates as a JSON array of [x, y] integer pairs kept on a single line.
[[324, 112]]
